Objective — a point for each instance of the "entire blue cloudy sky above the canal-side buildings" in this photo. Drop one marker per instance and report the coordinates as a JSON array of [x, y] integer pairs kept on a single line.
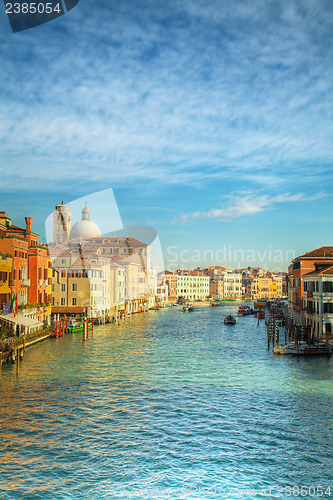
[[210, 120]]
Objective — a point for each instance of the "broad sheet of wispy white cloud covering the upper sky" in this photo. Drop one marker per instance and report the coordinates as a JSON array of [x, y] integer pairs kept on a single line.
[[170, 93]]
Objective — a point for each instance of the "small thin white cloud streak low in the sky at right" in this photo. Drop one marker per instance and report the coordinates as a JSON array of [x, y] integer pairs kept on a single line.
[[245, 204]]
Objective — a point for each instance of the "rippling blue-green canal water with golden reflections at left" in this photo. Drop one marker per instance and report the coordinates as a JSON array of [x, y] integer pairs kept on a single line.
[[169, 405]]
